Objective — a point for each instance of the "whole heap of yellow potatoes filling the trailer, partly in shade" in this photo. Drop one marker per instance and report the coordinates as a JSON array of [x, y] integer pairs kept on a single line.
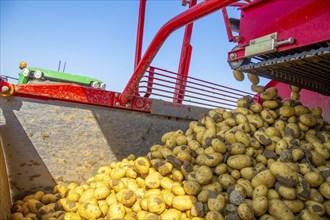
[[268, 161]]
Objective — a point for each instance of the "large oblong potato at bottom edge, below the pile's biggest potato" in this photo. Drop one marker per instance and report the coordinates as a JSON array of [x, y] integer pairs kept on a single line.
[[279, 210]]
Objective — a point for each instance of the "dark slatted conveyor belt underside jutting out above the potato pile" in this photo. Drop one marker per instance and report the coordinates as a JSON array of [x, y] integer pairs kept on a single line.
[[308, 69]]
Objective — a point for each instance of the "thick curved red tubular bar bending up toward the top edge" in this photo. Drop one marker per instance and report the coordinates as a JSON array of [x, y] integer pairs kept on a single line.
[[200, 10]]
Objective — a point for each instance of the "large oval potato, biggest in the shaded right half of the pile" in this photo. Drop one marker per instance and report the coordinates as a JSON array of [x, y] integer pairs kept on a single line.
[[284, 174]]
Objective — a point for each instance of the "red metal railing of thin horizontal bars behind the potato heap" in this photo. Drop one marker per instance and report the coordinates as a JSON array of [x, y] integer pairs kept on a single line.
[[162, 84]]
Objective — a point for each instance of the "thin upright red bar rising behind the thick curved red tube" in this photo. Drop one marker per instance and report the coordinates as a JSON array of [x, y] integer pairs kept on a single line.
[[139, 35]]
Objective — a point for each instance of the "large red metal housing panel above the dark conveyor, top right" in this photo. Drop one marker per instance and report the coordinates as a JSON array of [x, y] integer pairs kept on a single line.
[[307, 21]]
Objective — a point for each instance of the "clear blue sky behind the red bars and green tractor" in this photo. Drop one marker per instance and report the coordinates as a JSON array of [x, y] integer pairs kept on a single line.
[[97, 39]]
